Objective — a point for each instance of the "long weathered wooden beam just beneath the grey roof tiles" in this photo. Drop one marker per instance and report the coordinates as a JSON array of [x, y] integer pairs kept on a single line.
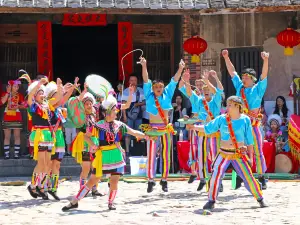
[[211, 11]]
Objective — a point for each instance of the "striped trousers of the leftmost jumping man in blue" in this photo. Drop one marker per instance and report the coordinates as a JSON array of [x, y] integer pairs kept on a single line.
[[166, 141]]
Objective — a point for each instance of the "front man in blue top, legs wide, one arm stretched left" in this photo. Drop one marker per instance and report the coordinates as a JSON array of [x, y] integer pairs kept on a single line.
[[236, 148]]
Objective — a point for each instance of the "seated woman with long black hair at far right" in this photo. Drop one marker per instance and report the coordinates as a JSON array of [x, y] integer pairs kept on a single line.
[[282, 110]]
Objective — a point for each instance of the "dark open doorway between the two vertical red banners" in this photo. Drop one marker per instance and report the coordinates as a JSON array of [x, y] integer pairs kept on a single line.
[[80, 51]]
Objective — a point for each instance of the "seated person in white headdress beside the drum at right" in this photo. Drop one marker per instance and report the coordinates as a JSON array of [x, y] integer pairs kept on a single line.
[[275, 134]]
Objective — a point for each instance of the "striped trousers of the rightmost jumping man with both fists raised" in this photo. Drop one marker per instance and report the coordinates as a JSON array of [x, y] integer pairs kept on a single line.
[[259, 158]]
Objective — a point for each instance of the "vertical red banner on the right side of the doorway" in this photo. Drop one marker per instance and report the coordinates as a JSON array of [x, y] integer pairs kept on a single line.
[[125, 46]]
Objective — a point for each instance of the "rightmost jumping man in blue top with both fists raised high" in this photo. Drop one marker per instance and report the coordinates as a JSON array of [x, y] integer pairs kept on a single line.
[[252, 95]]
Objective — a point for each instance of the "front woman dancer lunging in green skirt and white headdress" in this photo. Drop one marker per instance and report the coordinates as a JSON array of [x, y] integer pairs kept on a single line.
[[109, 155]]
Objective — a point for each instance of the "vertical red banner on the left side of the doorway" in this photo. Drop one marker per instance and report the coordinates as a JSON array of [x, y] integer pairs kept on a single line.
[[44, 51]]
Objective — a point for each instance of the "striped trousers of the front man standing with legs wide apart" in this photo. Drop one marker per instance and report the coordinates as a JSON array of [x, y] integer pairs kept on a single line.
[[242, 168]]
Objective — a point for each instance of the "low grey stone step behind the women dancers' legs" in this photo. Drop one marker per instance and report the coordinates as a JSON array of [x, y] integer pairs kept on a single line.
[[24, 167]]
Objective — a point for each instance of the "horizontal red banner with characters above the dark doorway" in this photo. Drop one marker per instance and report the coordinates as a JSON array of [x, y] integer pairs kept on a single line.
[[84, 19]]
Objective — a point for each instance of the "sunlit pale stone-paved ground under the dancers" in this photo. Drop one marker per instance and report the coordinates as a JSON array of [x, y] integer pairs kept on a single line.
[[182, 205]]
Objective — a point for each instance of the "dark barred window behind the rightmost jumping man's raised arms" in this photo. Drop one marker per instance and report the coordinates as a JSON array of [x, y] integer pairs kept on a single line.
[[241, 58]]
